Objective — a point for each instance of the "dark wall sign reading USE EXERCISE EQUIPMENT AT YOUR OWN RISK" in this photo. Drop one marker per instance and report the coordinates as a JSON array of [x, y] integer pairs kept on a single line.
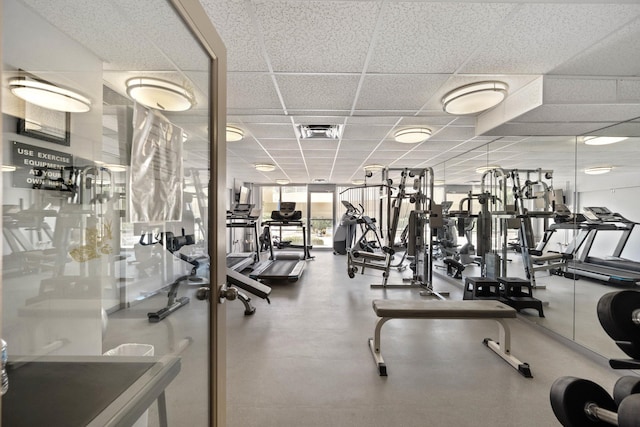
[[38, 167]]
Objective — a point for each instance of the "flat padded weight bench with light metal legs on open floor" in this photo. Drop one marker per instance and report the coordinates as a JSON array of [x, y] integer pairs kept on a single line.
[[474, 309]]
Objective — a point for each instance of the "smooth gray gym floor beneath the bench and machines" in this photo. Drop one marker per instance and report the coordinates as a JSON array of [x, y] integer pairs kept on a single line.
[[304, 360]]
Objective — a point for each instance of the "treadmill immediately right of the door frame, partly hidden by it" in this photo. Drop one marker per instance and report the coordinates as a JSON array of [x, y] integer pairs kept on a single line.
[[243, 215]]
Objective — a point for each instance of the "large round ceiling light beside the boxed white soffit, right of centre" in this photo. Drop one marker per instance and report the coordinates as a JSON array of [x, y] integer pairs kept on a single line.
[[475, 97]]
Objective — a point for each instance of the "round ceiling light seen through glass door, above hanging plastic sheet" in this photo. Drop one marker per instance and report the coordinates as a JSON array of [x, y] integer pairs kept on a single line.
[[159, 94]]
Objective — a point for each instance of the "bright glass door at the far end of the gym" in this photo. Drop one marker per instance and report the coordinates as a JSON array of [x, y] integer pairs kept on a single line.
[[321, 218]]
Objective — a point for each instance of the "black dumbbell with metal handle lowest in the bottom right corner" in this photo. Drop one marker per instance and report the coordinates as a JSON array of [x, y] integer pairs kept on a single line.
[[578, 402]]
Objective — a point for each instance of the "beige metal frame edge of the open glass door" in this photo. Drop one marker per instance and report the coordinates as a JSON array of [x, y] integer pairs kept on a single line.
[[202, 28]]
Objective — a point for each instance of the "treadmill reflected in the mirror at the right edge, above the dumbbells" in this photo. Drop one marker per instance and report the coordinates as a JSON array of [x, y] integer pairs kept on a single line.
[[606, 248]]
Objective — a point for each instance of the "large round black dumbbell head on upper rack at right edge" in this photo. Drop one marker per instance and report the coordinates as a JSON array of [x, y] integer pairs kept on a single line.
[[619, 315]]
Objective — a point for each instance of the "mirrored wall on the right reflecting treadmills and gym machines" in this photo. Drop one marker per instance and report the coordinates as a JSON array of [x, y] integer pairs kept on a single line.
[[555, 181]]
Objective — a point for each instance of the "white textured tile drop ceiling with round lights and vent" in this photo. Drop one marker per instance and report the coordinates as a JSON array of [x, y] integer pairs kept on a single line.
[[374, 67]]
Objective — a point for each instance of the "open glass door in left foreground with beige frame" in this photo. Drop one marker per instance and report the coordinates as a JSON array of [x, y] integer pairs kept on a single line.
[[108, 236]]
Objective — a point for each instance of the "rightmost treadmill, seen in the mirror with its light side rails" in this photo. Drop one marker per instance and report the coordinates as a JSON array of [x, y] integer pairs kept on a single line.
[[612, 269]]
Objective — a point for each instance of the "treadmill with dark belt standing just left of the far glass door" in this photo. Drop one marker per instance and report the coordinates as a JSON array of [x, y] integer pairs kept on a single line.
[[283, 265]]
